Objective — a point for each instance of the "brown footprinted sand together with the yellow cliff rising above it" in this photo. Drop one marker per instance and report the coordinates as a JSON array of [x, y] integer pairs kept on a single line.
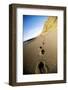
[[40, 53]]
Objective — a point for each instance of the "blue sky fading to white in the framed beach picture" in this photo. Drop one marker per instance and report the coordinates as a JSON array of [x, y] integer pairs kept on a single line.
[[33, 25]]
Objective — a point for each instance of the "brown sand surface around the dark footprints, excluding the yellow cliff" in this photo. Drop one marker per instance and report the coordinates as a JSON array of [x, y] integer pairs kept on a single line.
[[33, 55]]
